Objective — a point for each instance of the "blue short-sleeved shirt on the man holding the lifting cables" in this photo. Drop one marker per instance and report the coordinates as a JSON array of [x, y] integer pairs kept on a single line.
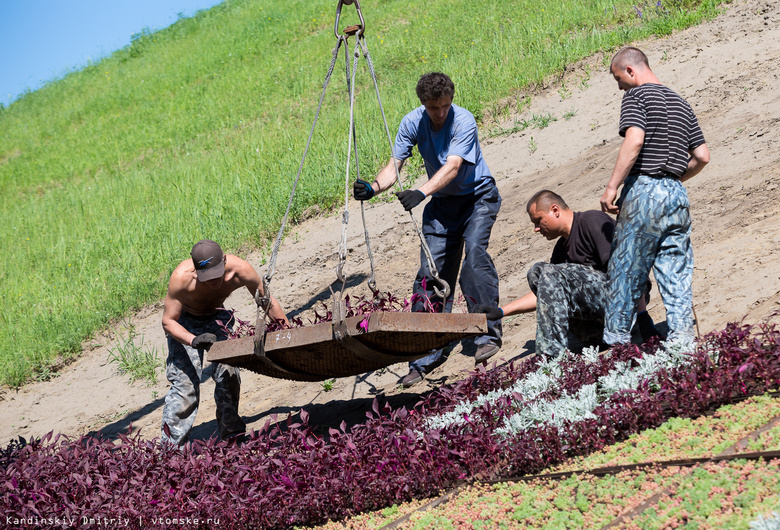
[[457, 137]]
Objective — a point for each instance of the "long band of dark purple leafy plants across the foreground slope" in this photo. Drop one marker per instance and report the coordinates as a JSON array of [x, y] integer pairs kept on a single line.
[[288, 475]]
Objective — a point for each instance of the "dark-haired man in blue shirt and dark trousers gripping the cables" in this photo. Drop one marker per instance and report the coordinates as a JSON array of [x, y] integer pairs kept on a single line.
[[458, 220]]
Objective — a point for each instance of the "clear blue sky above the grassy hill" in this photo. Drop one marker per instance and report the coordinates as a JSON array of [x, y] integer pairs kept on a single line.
[[42, 40]]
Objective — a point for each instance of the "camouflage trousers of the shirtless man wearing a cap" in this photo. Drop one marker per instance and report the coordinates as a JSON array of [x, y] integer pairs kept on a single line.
[[184, 371]]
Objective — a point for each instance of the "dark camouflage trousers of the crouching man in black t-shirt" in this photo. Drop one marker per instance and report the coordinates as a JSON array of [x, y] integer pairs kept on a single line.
[[570, 298]]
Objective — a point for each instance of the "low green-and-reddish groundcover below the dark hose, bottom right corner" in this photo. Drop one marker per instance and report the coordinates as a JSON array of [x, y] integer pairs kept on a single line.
[[714, 495]]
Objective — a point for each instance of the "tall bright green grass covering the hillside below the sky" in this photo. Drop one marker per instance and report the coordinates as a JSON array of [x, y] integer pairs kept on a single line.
[[109, 175]]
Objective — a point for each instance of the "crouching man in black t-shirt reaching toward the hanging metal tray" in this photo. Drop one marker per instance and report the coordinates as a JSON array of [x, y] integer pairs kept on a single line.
[[568, 293]]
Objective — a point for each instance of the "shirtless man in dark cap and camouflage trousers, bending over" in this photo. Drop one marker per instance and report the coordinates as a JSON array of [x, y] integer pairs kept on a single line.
[[191, 319]]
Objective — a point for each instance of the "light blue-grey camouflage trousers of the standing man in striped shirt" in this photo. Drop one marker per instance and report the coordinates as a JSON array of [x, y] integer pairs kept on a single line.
[[653, 231]]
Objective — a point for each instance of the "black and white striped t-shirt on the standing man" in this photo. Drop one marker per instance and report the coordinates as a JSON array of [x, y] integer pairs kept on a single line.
[[671, 129]]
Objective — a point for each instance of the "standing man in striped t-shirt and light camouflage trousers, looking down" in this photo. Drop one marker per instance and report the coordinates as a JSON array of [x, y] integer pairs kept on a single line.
[[663, 146]]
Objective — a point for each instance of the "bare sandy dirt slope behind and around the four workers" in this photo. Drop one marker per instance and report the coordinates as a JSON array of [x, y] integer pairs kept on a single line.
[[726, 69]]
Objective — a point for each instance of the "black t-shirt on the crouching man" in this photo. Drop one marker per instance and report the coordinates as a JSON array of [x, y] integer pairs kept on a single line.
[[589, 242]]
